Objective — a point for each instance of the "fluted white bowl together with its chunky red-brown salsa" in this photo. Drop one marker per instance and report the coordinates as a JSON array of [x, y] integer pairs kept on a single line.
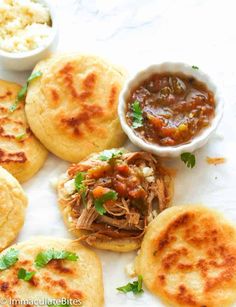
[[170, 108]]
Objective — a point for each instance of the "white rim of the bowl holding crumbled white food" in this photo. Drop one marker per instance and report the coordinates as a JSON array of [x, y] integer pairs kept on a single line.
[[38, 50]]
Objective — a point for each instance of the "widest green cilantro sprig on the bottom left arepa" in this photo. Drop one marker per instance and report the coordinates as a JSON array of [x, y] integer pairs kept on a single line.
[[44, 257]]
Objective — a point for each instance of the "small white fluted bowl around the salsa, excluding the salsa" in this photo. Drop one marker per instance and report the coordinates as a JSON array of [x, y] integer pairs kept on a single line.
[[198, 140]]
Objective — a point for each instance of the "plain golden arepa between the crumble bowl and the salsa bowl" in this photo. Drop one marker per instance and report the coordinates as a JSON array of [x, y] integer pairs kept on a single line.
[[72, 108]]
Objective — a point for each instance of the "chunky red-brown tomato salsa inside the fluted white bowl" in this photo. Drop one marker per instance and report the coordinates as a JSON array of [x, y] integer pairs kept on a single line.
[[170, 109]]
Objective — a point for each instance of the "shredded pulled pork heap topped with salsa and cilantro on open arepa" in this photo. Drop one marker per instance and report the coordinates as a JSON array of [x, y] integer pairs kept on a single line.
[[137, 185]]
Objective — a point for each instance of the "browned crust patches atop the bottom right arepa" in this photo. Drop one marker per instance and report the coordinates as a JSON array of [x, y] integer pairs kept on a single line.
[[202, 234]]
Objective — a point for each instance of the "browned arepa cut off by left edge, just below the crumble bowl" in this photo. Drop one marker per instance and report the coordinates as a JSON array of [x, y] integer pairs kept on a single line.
[[20, 152]]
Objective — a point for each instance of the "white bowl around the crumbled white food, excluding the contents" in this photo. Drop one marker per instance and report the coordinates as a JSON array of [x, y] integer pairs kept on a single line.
[[26, 60]]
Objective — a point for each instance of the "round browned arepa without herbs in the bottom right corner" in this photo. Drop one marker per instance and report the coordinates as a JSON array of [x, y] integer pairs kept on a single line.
[[188, 258]]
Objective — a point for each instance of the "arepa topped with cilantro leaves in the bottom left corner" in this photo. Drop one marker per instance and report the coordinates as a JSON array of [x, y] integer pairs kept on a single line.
[[57, 269]]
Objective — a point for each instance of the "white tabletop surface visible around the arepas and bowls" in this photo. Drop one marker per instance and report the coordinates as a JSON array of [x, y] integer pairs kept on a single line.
[[134, 33]]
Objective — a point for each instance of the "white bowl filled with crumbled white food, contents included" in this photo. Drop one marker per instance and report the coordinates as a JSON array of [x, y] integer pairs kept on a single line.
[[28, 33]]
